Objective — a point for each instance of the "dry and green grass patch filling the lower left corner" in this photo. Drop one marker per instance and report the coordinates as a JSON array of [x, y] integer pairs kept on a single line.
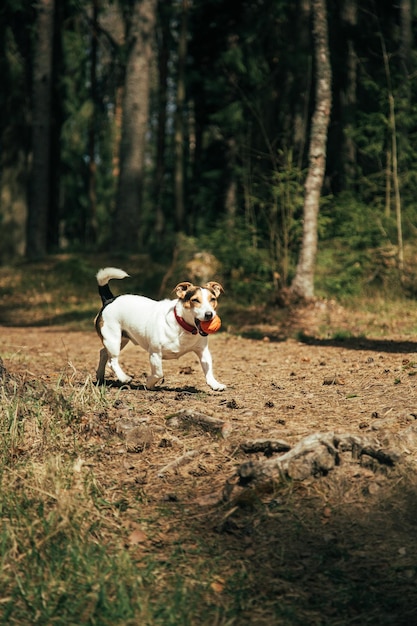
[[64, 544]]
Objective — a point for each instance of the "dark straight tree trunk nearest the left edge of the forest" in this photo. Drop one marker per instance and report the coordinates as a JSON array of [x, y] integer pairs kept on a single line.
[[39, 193]]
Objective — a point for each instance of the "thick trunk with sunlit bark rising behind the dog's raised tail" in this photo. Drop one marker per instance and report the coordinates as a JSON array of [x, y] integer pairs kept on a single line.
[[134, 125]]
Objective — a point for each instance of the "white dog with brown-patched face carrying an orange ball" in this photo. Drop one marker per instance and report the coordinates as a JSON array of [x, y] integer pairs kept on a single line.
[[166, 329]]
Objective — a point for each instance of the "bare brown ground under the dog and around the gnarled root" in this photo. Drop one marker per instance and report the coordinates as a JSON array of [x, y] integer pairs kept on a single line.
[[333, 549]]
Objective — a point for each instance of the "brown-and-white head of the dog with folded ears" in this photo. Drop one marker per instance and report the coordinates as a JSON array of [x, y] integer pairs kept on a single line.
[[200, 301]]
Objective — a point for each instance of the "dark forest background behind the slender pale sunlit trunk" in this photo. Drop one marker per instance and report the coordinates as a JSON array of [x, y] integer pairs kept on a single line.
[[167, 128]]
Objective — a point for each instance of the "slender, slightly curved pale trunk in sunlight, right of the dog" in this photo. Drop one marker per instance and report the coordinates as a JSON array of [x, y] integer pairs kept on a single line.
[[303, 283]]
